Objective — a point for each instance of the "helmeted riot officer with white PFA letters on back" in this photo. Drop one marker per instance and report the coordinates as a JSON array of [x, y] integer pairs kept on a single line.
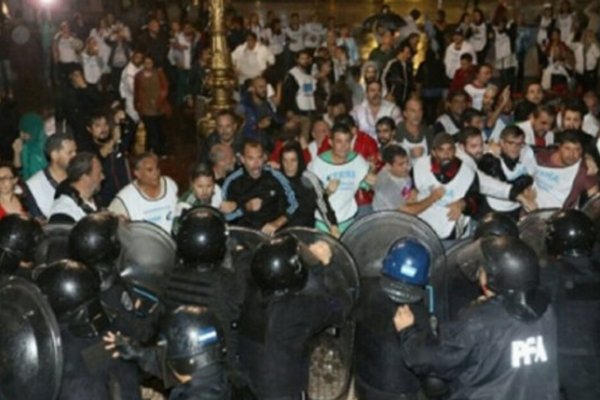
[[502, 347]]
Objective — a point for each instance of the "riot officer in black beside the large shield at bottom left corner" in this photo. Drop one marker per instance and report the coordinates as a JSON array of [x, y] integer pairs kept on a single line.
[[73, 290]]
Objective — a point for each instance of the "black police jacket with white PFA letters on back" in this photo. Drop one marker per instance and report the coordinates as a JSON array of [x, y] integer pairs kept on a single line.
[[490, 354]]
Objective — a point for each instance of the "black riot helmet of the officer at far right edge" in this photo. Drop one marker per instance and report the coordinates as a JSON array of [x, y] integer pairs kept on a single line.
[[570, 233]]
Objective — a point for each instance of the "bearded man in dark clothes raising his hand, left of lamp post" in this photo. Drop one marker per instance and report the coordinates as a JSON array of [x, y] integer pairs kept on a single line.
[[106, 142]]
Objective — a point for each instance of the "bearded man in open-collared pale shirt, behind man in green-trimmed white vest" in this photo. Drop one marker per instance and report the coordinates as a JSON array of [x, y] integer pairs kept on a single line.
[[373, 108]]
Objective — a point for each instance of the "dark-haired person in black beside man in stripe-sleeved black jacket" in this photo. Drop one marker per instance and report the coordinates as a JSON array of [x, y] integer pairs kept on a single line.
[[308, 190]]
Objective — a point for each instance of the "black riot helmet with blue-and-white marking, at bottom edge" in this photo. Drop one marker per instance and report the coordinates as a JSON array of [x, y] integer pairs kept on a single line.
[[195, 339]]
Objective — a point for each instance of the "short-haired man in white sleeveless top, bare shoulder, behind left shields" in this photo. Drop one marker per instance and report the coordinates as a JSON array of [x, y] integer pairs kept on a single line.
[[150, 197]]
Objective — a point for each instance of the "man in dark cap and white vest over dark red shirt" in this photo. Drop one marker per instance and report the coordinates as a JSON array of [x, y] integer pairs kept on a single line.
[[449, 216]]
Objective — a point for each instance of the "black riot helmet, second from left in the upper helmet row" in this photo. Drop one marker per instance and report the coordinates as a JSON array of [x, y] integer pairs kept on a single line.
[[94, 239]]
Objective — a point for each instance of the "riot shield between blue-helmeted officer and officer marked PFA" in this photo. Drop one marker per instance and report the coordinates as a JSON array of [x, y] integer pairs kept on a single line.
[[453, 289]]
